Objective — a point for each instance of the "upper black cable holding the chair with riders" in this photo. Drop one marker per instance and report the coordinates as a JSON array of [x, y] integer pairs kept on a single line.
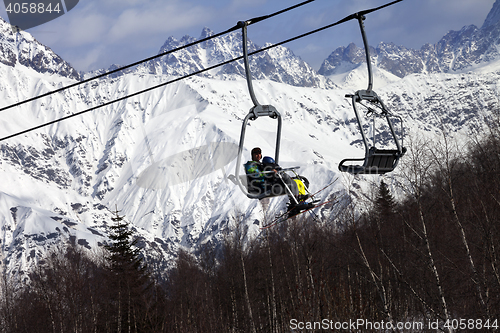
[[236, 27]]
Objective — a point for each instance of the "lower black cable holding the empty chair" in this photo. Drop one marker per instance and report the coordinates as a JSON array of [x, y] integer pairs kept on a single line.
[[347, 18]]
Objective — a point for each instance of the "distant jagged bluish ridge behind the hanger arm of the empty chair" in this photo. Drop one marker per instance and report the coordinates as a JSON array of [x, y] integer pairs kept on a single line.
[[456, 51]]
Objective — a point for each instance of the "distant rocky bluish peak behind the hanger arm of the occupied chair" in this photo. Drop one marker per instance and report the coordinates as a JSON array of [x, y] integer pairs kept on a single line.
[[278, 64]]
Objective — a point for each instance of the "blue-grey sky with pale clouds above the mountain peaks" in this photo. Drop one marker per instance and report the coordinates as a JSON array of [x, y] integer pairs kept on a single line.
[[98, 33]]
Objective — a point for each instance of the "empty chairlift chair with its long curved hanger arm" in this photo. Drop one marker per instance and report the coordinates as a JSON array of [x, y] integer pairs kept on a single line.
[[376, 161]]
